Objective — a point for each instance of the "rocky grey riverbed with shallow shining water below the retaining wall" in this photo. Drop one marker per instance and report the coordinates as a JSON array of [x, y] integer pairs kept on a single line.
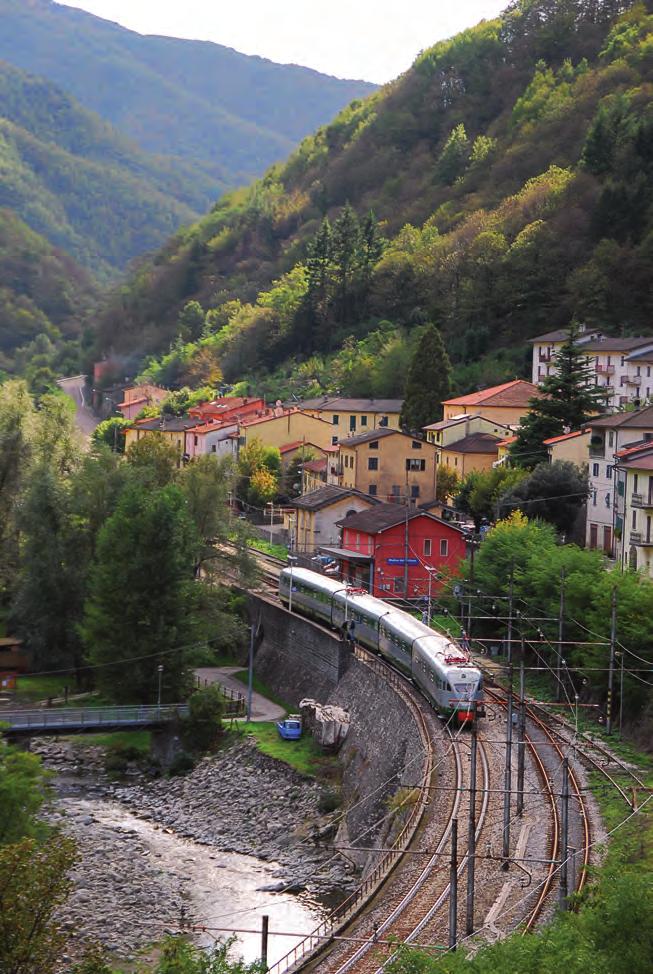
[[216, 847]]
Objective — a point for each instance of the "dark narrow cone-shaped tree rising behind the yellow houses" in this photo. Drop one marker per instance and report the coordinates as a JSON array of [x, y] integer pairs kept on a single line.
[[428, 382]]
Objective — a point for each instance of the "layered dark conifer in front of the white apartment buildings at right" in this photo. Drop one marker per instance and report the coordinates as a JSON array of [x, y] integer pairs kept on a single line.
[[569, 397]]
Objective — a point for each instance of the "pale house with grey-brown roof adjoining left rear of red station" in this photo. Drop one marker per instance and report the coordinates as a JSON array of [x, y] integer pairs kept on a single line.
[[319, 512]]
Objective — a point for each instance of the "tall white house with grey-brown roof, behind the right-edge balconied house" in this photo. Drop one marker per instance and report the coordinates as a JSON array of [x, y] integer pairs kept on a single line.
[[605, 506]]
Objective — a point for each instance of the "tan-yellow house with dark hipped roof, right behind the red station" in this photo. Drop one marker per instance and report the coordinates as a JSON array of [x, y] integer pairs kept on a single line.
[[390, 465]]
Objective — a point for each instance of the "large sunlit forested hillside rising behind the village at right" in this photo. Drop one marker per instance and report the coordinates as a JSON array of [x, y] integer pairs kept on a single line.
[[511, 170]]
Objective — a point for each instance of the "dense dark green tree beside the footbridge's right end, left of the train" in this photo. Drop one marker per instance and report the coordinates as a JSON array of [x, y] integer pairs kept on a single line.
[[140, 603]]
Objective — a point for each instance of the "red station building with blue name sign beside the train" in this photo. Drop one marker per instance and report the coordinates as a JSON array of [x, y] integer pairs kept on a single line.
[[389, 549]]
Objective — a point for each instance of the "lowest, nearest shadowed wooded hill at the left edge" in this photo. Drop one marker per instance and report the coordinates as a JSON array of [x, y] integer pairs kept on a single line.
[[43, 297]]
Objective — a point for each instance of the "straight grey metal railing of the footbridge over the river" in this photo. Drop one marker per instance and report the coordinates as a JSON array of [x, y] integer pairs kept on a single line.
[[75, 718]]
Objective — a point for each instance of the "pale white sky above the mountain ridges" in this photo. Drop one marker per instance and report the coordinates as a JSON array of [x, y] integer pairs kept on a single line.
[[370, 39]]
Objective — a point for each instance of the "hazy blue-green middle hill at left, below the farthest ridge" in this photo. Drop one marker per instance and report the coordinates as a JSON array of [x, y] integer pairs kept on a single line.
[[87, 188]]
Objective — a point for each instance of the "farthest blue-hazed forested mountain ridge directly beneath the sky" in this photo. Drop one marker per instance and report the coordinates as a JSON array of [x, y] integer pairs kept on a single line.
[[234, 113]]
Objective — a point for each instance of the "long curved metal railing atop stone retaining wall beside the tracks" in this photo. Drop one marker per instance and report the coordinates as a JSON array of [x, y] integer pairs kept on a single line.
[[348, 909]]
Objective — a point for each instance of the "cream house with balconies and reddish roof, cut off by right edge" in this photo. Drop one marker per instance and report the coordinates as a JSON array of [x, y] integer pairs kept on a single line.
[[634, 470]]
